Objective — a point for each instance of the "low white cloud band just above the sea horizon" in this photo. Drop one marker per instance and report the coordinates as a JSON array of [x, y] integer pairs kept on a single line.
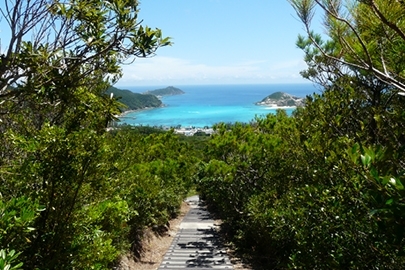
[[168, 70]]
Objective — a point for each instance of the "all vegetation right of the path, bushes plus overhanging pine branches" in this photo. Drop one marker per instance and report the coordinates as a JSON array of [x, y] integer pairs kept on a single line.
[[324, 189]]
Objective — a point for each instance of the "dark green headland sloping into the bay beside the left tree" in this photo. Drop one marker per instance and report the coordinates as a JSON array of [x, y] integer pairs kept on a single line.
[[134, 101]]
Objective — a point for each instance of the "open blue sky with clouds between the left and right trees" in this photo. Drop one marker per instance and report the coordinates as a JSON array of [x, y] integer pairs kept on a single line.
[[220, 42]]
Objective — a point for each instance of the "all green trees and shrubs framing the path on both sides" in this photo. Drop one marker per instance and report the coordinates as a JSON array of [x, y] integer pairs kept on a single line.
[[322, 189]]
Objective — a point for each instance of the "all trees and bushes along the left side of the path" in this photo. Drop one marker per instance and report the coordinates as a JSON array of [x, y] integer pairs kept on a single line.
[[68, 193]]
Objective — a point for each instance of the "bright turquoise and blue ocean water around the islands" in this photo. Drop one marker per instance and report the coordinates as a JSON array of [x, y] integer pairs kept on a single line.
[[206, 105]]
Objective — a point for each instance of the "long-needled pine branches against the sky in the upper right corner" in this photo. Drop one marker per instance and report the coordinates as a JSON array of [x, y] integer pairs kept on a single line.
[[364, 37]]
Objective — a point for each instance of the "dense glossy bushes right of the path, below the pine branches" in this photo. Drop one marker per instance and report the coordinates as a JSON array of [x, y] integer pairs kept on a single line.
[[322, 189]]
